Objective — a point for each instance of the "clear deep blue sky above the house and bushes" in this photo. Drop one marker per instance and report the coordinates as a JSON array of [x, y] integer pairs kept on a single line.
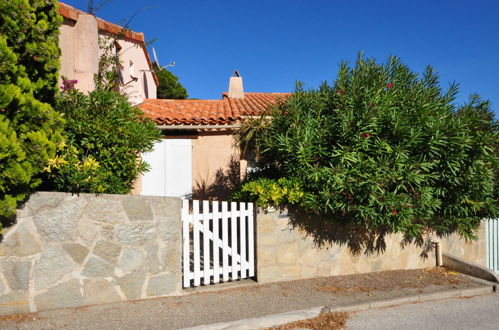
[[274, 43]]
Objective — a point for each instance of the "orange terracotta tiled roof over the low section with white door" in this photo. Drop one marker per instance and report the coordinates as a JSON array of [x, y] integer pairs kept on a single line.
[[209, 112]]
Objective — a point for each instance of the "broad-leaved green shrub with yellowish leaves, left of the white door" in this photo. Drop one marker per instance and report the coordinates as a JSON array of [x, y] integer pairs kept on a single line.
[[105, 136]]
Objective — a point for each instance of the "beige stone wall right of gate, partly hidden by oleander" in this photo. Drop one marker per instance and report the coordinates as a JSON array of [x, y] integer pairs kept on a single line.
[[286, 254]]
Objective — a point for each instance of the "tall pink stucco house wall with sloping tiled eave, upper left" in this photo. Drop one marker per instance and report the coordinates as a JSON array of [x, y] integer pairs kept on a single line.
[[80, 51]]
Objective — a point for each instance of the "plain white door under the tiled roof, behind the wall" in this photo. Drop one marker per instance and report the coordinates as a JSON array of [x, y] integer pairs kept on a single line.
[[170, 171]]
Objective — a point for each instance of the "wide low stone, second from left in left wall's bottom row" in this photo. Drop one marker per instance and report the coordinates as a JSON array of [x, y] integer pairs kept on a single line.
[[66, 294]]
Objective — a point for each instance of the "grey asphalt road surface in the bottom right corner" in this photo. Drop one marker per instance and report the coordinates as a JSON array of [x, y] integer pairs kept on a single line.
[[464, 313]]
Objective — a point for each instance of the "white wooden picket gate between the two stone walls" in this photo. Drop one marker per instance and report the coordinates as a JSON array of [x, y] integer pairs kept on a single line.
[[218, 243]]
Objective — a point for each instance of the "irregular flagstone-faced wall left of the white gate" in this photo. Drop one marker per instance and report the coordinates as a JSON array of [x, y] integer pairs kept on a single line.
[[68, 251]]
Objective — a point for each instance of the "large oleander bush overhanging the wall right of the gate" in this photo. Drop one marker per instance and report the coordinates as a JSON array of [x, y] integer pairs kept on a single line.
[[382, 148]]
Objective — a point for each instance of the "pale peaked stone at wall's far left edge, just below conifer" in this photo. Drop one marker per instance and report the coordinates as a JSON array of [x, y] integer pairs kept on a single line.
[[21, 240]]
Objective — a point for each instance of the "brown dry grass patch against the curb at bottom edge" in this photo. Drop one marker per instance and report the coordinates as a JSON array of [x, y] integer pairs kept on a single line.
[[330, 321]]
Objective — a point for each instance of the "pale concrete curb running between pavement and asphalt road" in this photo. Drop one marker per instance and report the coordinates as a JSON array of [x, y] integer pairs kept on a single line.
[[283, 318]]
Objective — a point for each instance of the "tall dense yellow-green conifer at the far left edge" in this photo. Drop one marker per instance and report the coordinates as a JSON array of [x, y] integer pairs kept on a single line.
[[30, 129]]
